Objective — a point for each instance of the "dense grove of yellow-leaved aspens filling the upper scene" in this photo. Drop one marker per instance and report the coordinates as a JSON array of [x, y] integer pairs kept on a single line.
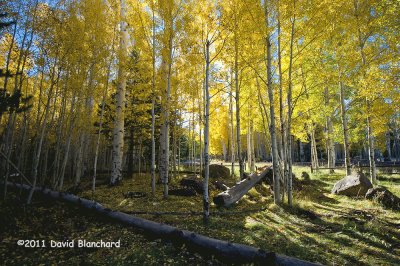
[[92, 87]]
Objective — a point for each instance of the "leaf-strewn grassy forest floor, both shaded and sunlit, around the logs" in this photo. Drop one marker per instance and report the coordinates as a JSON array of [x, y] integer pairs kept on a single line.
[[320, 227]]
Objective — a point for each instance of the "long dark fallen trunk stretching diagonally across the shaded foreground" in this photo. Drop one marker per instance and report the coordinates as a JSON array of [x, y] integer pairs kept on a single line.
[[226, 251]]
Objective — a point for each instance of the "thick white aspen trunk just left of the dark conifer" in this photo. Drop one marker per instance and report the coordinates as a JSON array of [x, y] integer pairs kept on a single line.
[[118, 132]]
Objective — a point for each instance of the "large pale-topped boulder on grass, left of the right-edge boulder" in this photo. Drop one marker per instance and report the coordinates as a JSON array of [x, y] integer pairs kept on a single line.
[[352, 185]]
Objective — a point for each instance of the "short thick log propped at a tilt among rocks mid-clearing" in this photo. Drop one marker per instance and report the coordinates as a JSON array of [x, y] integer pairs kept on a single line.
[[236, 192]]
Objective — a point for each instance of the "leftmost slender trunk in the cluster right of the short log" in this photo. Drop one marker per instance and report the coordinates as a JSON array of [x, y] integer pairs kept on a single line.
[[272, 111]]
